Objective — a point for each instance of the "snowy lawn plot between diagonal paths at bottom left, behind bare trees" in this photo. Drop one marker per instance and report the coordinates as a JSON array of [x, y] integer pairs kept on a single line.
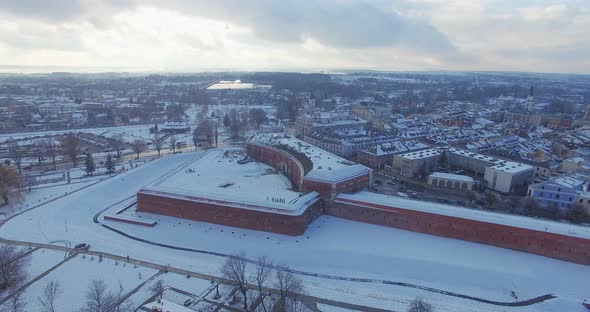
[[75, 276]]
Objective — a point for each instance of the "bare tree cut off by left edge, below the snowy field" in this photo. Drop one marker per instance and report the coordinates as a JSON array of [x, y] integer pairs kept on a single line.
[[13, 266]]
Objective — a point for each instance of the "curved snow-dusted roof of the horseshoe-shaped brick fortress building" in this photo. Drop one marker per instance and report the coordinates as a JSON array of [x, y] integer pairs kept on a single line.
[[326, 166]]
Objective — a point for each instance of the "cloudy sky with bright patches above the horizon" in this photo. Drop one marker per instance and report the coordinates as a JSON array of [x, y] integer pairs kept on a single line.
[[306, 35]]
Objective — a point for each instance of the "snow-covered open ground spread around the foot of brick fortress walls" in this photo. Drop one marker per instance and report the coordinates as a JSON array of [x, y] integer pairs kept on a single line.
[[330, 246]]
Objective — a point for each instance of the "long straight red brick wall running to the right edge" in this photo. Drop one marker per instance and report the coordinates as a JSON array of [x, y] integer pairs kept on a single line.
[[562, 247]]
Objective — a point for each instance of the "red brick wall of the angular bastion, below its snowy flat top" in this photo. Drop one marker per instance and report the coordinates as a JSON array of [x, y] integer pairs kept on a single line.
[[225, 215]]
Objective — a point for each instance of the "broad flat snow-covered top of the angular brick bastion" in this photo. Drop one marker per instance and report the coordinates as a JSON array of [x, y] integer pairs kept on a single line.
[[217, 176]]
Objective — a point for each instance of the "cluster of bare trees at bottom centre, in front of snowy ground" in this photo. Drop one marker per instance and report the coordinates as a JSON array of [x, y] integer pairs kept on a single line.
[[289, 287]]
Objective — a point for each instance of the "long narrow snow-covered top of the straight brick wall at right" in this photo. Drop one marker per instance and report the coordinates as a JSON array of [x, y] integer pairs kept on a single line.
[[471, 214]]
